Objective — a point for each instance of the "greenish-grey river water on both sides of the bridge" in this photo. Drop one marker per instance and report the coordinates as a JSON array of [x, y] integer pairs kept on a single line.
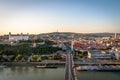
[[31, 73]]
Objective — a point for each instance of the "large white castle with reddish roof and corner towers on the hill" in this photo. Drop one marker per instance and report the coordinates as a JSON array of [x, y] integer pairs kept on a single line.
[[17, 37]]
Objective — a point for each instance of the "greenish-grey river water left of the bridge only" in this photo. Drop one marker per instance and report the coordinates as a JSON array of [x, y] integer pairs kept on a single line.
[[31, 73]]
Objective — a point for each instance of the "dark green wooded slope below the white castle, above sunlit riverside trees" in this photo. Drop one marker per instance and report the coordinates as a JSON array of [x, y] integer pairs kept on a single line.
[[26, 49]]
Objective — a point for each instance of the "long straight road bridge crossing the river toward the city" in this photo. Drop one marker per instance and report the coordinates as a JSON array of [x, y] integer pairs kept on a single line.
[[70, 73]]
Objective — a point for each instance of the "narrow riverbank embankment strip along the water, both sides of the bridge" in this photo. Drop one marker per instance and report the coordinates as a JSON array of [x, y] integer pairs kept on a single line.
[[54, 62]]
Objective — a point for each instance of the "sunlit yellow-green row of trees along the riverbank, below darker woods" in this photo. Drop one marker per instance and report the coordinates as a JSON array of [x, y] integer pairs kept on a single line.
[[32, 58]]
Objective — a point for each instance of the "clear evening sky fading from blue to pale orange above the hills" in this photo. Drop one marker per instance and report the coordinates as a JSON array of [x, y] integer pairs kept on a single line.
[[43, 16]]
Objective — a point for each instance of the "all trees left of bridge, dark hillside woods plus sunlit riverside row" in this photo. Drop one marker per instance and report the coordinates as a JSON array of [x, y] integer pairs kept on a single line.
[[24, 52]]
